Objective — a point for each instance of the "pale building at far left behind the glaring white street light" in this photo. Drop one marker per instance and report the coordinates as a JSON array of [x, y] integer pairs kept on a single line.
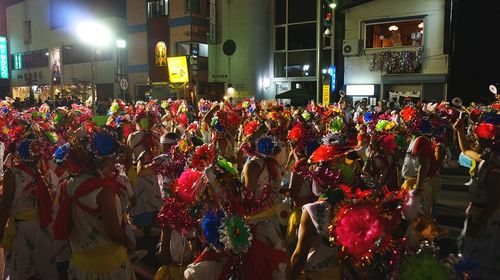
[[50, 61]]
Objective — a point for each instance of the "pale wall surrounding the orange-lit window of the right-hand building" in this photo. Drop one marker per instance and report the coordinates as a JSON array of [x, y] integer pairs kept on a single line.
[[434, 61]]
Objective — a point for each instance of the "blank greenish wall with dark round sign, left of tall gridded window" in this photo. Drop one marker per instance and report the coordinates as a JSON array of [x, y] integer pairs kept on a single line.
[[247, 23]]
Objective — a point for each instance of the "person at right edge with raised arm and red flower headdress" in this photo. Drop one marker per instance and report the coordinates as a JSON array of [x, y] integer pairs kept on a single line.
[[482, 225]]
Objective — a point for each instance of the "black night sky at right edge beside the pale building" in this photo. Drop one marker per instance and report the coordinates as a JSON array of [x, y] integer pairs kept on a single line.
[[476, 61]]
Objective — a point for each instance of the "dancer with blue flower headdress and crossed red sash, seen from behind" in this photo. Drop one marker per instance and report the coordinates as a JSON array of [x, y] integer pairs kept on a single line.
[[90, 215]]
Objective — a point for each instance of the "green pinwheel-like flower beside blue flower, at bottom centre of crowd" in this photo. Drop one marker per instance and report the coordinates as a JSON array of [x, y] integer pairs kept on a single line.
[[235, 234]]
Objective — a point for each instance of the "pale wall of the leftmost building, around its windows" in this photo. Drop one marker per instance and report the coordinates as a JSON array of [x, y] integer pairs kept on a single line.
[[37, 11]]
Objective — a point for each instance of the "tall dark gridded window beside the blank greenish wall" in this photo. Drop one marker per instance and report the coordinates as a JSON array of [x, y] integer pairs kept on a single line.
[[295, 39]]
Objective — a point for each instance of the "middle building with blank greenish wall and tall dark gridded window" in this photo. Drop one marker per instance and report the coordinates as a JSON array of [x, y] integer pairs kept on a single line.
[[275, 48]]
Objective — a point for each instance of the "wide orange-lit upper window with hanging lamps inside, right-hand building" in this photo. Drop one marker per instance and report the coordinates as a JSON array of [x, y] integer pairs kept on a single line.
[[390, 34]]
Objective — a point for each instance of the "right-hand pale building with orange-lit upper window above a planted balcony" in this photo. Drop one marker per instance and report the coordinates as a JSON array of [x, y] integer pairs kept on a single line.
[[397, 48]]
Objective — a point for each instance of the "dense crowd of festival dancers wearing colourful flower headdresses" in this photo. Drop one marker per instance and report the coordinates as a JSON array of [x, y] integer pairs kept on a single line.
[[245, 190]]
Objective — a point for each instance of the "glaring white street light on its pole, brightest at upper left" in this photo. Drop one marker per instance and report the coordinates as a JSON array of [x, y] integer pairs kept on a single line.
[[96, 35]]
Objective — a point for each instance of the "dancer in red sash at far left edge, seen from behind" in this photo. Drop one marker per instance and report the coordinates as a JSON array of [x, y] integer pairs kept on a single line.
[[26, 208]]
